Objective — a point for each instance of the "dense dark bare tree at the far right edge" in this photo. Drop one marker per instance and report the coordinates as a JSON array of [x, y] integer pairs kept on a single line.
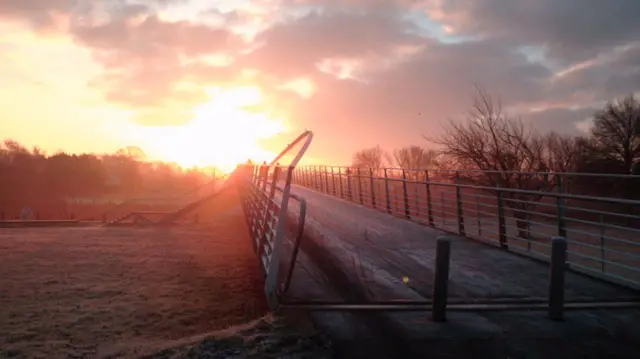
[[617, 130]]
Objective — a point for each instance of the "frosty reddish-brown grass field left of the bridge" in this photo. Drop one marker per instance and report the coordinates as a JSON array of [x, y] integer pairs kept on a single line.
[[100, 291]]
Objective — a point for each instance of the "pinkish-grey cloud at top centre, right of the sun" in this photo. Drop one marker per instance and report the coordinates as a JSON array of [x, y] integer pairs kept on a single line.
[[295, 47]]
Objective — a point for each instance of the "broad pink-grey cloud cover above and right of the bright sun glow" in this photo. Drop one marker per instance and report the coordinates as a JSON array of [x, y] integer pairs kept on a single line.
[[360, 72]]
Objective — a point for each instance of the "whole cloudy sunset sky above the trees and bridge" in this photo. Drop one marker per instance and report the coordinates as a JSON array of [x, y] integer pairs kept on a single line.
[[214, 82]]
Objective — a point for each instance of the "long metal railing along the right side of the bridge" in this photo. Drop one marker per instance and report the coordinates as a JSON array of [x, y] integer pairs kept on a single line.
[[517, 211]]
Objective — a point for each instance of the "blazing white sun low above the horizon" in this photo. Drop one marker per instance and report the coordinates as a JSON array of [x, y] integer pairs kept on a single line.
[[223, 133]]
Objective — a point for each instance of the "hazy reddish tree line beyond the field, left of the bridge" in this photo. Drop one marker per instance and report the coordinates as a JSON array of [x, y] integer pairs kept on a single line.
[[30, 177]]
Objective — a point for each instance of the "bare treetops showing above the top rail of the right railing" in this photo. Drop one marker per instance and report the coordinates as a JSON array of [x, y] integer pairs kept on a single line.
[[491, 140]]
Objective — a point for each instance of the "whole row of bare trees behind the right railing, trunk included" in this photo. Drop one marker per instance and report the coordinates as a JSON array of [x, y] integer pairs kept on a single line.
[[491, 149]]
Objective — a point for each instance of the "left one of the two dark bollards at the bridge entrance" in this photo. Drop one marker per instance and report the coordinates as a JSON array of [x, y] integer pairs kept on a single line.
[[441, 279]]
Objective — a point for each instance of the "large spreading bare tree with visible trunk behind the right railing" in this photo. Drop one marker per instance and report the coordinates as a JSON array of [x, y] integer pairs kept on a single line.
[[501, 153]]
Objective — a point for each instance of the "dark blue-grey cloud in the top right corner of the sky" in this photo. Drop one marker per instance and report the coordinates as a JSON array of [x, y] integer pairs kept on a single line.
[[571, 30]]
